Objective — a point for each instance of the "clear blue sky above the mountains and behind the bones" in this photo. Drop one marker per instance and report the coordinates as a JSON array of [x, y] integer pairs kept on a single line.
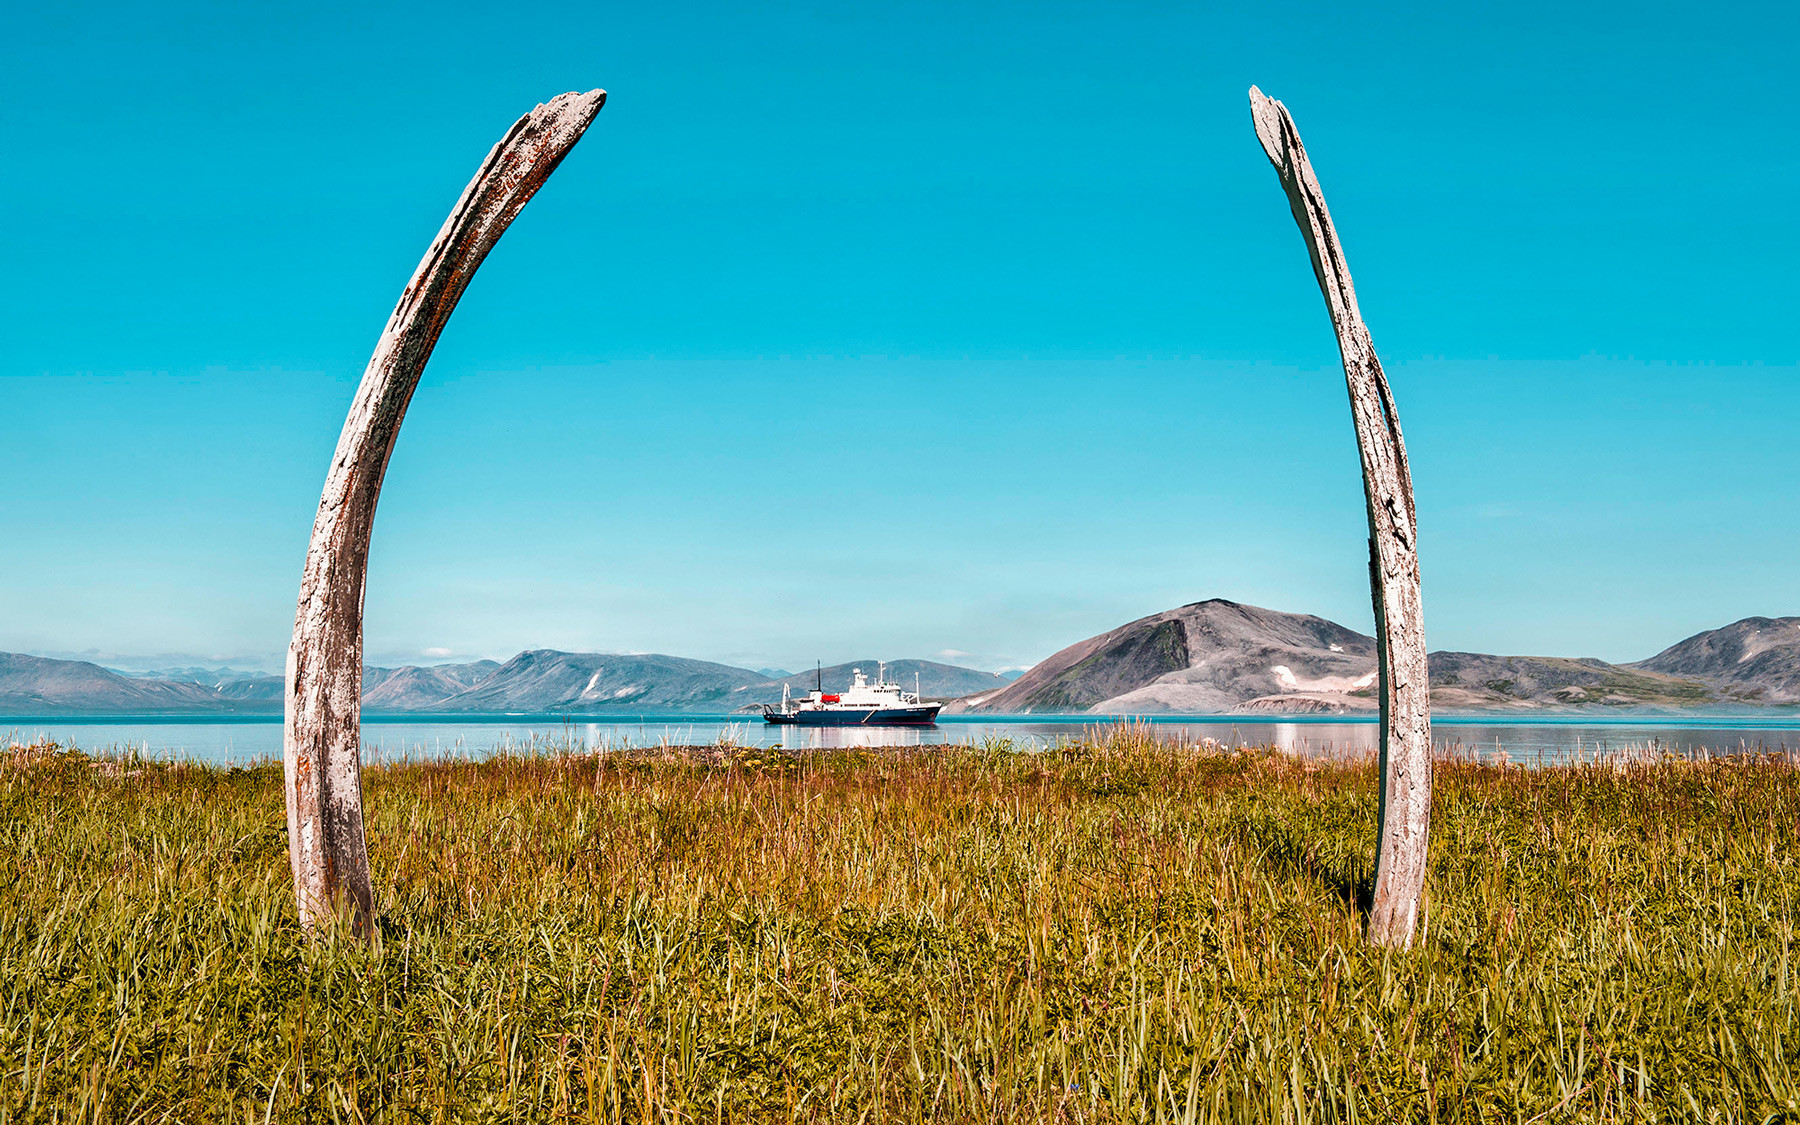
[[899, 330]]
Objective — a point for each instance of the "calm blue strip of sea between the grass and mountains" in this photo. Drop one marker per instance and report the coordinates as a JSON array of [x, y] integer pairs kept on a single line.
[[244, 741]]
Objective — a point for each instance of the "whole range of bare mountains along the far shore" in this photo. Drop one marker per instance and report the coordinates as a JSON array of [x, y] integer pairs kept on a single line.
[[1209, 658]]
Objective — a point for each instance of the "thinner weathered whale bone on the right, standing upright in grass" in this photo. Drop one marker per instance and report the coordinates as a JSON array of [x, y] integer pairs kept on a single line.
[[1405, 823]]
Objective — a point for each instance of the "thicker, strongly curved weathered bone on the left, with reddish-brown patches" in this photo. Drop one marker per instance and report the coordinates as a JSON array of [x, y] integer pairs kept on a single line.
[[321, 741]]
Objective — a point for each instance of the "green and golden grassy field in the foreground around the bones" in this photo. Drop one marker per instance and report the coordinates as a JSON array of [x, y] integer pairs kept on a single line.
[[1115, 931]]
